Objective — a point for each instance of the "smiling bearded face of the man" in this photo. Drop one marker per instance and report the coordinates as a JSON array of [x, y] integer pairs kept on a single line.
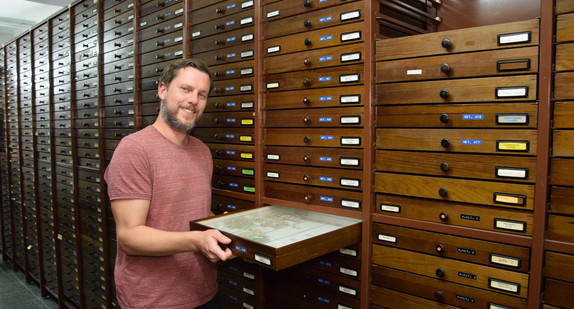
[[185, 99]]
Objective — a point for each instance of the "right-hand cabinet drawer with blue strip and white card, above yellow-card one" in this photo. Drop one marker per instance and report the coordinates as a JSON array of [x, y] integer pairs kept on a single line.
[[486, 115]]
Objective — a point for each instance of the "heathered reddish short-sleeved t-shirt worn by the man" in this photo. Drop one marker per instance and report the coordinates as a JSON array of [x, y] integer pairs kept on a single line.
[[177, 181]]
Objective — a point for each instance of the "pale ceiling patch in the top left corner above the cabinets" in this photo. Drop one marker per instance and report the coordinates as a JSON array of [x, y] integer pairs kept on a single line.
[[21, 15]]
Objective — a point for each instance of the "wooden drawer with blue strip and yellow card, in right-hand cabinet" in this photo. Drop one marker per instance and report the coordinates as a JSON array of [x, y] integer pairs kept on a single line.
[[517, 142]]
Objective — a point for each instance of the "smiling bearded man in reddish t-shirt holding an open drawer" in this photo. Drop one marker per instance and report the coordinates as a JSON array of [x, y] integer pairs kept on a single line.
[[158, 180]]
